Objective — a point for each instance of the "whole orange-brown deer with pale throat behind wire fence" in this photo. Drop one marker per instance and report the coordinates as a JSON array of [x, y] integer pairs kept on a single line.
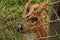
[[34, 22]]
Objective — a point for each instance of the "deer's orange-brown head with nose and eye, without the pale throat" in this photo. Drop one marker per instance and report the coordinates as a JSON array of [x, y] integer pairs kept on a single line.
[[33, 20]]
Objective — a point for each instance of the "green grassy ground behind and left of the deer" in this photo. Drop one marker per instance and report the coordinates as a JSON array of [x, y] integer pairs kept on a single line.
[[10, 17]]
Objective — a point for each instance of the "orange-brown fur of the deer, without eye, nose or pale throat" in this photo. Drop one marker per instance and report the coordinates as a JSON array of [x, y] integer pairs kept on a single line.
[[37, 27]]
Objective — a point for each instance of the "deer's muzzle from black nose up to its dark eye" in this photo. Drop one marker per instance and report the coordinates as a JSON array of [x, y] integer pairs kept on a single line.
[[29, 24]]
